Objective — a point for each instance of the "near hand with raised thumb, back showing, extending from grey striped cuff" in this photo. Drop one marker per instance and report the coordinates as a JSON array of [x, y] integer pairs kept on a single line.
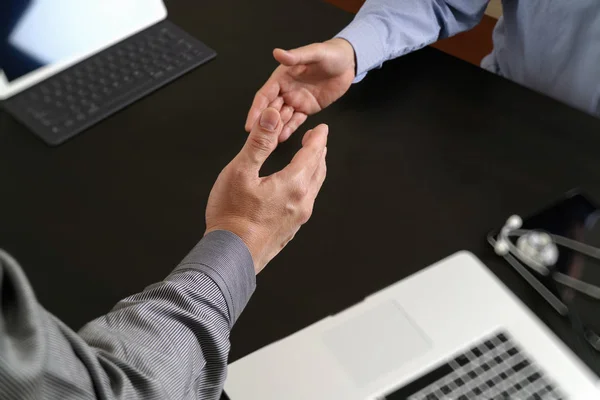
[[266, 212]]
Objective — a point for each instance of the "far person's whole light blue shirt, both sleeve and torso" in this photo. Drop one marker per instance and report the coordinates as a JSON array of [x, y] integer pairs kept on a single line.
[[552, 46]]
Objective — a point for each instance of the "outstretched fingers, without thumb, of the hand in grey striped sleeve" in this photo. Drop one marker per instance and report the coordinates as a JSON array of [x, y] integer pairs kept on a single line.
[[307, 159]]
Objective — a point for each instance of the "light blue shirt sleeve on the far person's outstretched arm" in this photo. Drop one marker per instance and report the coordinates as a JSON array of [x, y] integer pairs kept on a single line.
[[386, 29]]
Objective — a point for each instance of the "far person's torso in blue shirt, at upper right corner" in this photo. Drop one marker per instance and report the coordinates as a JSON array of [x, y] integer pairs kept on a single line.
[[552, 46]]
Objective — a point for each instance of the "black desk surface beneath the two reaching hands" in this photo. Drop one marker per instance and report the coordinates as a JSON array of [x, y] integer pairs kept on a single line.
[[425, 157]]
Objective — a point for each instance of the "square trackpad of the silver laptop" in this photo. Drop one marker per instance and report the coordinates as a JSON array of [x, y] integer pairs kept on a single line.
[[376, 342]]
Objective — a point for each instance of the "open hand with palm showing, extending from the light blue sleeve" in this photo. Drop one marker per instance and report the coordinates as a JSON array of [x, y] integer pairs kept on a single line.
[[309, 79]]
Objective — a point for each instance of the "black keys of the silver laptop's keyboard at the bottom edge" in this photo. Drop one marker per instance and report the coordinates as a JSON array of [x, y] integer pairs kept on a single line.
[[496, 368]]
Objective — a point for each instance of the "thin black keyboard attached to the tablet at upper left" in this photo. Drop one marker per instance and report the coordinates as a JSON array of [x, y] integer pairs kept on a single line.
[[77, 98]]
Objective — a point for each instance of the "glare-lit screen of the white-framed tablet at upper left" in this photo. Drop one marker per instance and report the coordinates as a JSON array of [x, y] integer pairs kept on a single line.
[[37, 33]]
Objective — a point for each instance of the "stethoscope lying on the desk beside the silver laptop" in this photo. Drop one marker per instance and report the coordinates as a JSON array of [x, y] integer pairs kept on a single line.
[[538, 250]]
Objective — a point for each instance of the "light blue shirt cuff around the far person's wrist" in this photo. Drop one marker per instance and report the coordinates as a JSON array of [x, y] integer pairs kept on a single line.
[[368, 47]]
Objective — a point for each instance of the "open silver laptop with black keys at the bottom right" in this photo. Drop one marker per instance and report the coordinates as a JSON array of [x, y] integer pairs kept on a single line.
[[452, 331]]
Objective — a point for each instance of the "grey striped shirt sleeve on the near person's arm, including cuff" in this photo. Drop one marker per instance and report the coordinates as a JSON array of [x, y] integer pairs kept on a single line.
[[171, 341]]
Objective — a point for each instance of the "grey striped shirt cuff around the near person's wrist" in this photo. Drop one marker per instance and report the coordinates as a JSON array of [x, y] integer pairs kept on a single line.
[[223, 257]]
